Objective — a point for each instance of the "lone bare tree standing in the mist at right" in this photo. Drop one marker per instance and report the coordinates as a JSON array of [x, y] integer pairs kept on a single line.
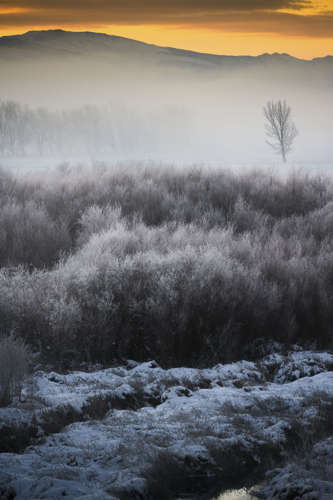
[[280, 127]]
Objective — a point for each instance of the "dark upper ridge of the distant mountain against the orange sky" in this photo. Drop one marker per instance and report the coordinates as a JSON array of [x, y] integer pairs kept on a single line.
[[60, 43]]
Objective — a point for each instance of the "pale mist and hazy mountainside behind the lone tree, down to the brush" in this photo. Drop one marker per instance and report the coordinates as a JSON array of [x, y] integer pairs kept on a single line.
[[127, 99]]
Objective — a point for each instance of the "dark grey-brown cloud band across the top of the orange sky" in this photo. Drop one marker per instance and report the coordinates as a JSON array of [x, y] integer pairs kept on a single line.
[[256, 16]]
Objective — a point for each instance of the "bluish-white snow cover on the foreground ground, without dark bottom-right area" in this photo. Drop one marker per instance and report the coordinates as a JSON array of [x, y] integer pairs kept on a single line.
[[195, 410]]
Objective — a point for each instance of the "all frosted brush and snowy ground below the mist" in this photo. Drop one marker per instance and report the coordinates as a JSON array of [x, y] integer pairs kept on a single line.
[[224, 279]]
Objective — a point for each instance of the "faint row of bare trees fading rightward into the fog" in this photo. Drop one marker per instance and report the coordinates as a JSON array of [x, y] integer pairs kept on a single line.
[[84, 131]]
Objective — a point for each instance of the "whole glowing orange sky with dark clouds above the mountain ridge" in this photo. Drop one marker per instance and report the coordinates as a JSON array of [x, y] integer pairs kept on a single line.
[[303, 28]]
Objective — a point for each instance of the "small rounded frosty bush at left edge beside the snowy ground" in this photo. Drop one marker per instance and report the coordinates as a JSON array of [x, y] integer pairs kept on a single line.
[[14, 359]]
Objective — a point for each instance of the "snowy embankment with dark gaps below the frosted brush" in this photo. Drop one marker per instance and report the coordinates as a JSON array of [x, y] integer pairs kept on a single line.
[[138, 431]]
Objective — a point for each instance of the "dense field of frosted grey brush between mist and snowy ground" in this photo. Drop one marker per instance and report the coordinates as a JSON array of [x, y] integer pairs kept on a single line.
[[188, 266]]
